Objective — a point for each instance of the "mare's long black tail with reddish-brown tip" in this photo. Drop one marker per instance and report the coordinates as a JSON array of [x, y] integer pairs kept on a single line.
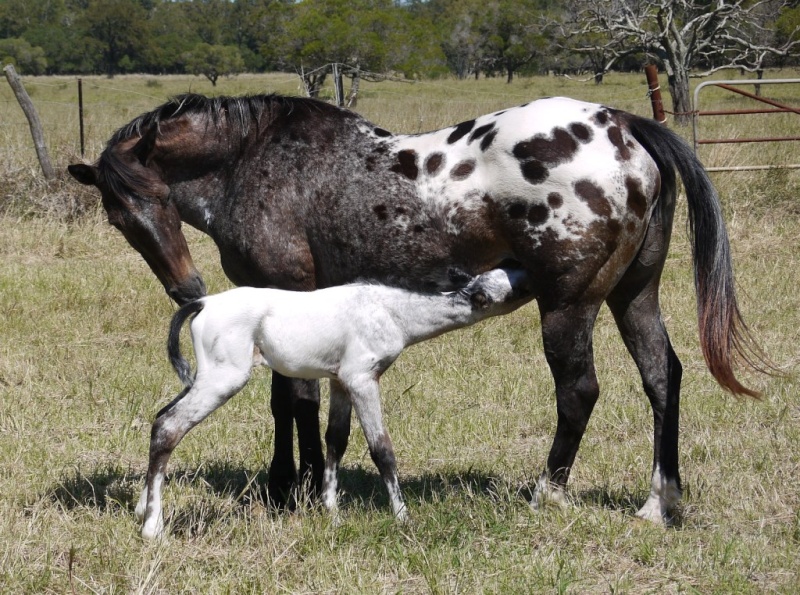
[[724, 336]]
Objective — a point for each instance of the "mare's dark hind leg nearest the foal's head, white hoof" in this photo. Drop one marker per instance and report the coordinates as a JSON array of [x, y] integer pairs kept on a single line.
[[567, 337]]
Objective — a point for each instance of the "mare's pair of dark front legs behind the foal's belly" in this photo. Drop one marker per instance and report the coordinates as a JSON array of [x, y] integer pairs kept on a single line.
[[294, 400]]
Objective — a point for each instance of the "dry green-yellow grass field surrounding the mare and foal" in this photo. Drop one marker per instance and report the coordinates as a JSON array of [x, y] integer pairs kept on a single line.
[[83, 371]]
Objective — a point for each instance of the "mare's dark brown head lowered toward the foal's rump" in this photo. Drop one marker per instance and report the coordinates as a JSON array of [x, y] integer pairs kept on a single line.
[[137, 202]]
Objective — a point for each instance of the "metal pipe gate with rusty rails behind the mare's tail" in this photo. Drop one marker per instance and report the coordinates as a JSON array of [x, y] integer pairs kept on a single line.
[[774, 108]]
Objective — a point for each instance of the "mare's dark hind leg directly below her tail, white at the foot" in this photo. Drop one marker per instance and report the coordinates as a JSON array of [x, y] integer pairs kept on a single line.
[[634, 303]]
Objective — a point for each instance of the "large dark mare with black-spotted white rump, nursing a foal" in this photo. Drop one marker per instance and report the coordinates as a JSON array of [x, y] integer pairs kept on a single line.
[[299, 194]]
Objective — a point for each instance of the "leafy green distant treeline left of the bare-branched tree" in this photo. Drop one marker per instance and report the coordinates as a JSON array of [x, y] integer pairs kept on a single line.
[[412, 38]]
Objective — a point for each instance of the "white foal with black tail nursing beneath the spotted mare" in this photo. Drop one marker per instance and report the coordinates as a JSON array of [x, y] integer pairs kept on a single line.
[[350, 334]]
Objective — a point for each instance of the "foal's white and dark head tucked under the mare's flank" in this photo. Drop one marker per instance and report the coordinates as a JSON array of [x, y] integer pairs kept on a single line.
[[499, 291]]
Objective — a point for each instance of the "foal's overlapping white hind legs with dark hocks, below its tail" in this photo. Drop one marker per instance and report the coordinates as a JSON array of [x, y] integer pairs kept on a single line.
[[208, 393]]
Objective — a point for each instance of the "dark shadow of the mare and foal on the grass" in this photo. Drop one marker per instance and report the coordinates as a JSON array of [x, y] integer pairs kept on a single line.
[[112, 488]]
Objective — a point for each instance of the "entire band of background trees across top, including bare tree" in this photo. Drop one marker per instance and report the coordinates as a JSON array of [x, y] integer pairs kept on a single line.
[[412, 38]]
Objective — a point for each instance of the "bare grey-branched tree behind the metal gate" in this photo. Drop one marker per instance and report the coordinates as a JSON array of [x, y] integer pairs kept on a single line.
[[681, 35]]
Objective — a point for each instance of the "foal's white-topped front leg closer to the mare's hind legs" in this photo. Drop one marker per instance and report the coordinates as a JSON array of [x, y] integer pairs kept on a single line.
[[365, 396]]
